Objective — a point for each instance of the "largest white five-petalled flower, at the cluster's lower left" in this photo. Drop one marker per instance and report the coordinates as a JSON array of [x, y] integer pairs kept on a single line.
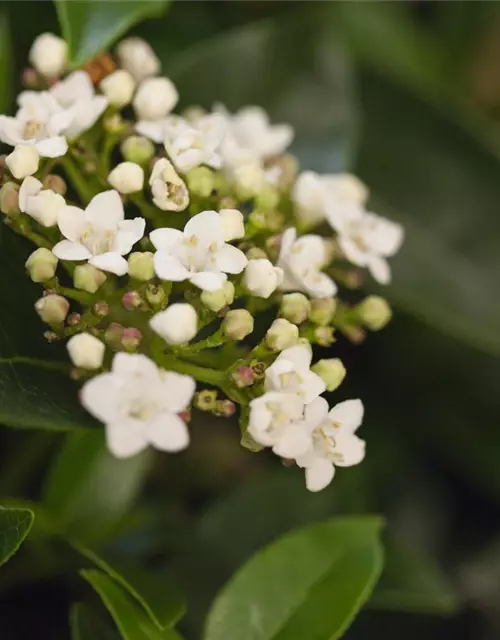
[[139, 404]]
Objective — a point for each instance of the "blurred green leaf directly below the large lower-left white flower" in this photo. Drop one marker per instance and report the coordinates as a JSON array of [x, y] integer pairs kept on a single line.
[[88, 490]]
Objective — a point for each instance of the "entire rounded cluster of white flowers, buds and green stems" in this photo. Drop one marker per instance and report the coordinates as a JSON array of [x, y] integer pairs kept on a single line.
[[176, 238]]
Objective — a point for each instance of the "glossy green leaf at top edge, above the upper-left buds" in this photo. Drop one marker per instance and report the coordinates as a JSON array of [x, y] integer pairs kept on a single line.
[[89, 26]]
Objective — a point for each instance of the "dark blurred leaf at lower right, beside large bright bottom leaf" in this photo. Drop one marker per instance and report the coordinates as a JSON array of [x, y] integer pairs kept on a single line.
[[412, 582]]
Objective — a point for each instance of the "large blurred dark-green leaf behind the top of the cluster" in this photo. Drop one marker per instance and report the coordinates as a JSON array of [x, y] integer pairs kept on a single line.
[[293, 68]]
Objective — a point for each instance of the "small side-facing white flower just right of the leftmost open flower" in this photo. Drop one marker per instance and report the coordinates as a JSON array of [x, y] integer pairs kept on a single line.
[[76, 94]]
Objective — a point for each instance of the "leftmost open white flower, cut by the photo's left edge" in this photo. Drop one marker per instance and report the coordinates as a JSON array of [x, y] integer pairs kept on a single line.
[[38, 122]]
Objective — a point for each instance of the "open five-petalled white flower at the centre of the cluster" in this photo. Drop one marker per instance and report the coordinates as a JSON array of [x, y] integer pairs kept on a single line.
[[198, 254]]
